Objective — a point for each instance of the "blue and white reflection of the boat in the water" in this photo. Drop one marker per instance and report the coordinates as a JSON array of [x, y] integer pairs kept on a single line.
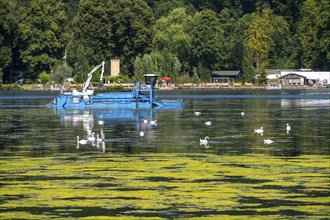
[[97, 124]]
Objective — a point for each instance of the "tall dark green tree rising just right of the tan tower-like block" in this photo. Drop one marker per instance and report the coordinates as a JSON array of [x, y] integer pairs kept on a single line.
[[132, 33]]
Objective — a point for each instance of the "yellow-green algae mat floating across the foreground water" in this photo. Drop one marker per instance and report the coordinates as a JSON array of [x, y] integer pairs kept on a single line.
[[164, 186]]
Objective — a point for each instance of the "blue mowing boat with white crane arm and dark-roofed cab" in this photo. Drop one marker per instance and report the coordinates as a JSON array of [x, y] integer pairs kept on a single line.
[[142, 96]]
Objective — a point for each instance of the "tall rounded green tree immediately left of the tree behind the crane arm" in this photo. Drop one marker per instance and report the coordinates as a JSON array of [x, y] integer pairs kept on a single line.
[[43, 38]]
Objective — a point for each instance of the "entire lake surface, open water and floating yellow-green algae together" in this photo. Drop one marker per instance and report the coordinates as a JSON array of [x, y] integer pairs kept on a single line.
[[167, 173]]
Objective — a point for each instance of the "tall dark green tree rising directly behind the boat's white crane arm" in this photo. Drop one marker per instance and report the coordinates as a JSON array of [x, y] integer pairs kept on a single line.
[[92, 33]]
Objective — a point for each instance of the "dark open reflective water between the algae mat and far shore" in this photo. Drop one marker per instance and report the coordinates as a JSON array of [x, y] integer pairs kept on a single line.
[[229, 122]]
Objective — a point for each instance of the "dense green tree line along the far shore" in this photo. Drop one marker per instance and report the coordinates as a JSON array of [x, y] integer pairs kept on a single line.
[[183, 39]]
